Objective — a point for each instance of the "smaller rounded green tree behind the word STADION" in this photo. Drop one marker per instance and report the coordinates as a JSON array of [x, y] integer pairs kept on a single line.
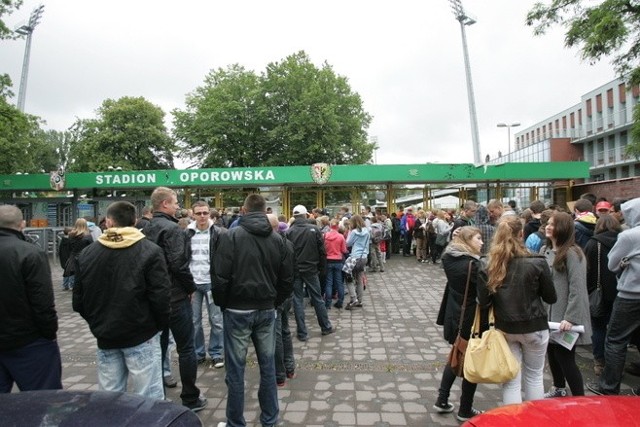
[[128, 132]]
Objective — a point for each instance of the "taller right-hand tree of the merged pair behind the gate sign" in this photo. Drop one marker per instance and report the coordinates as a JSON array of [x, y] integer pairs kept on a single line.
[[313, 116]]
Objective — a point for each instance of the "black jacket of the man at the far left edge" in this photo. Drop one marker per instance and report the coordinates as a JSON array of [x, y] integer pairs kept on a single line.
[[27, 308]]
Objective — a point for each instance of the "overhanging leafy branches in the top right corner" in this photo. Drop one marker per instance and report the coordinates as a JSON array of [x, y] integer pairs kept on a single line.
[[609, 28]]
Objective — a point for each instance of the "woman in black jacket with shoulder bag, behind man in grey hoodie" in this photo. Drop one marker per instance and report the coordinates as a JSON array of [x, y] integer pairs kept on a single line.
[[597, 251]]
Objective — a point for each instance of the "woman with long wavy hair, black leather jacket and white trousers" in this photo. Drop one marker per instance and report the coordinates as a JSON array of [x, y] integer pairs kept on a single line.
[[517, 284]]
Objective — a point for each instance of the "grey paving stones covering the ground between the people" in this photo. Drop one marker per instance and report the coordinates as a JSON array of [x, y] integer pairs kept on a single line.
[[382, 367]]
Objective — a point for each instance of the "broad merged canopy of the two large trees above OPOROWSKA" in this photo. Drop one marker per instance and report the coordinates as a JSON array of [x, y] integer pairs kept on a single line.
[[294, 113]]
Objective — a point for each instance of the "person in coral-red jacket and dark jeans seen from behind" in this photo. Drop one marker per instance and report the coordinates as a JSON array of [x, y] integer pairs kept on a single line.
[[336, 248]]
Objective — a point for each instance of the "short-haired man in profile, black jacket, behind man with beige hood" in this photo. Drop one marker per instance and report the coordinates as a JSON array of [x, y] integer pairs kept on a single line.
[[165, 232]]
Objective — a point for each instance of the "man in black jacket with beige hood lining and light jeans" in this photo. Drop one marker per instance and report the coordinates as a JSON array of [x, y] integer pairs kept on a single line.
[[122, 291]]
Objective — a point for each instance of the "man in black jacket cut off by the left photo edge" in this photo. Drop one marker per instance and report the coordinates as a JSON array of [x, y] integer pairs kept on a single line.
[[29, 353]]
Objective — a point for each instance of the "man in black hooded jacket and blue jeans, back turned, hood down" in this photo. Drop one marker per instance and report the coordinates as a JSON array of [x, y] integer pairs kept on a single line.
[[252, 275]]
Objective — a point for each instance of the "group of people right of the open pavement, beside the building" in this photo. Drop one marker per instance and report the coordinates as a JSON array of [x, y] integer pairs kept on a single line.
[[540, 269]]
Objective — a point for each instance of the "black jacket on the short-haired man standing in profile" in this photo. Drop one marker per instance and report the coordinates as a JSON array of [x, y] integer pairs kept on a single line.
[[164, 231]]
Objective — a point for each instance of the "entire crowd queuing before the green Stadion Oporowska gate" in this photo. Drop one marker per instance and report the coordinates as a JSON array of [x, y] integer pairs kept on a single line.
[[141, 283]]
